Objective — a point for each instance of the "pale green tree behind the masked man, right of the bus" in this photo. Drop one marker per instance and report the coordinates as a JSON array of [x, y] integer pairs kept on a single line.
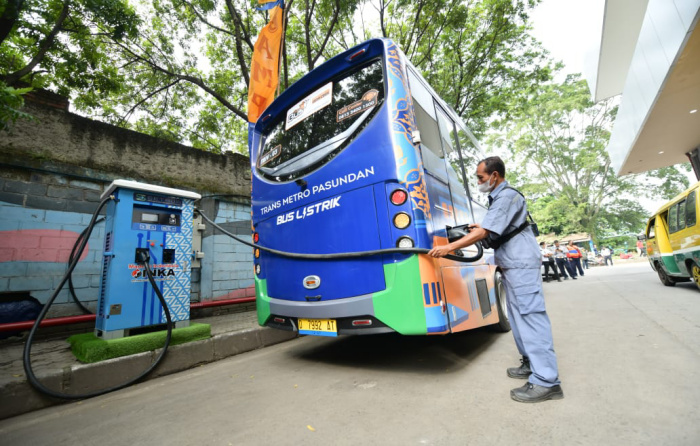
[[557, 139]]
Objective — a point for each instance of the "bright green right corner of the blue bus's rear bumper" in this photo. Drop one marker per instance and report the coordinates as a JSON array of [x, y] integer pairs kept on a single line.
[[400, 305]]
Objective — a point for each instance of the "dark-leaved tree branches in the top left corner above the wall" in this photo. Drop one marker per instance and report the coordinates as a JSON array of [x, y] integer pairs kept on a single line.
[[61, 43]]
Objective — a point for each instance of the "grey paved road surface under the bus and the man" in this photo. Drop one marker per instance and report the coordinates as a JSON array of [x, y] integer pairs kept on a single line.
[[629, 352]]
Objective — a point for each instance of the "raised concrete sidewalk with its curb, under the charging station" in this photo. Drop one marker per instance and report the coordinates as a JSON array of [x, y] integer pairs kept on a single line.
[[57, 368]]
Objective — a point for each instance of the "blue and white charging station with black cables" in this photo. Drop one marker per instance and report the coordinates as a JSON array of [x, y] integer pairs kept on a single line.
[[155, 222]]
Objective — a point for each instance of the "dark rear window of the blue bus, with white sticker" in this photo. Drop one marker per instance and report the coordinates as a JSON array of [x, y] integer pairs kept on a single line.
[[322, 124]]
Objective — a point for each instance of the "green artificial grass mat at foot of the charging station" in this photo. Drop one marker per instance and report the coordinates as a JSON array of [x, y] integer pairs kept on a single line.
[[89, 348]]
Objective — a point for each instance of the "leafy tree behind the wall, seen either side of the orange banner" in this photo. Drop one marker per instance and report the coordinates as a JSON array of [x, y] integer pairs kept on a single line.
[[194, 90]]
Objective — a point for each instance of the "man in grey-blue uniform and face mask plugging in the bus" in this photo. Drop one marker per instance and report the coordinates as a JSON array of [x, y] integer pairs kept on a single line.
[[519, 260]]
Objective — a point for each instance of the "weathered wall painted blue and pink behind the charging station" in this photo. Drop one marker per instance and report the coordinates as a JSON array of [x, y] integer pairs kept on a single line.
[[52, 173]]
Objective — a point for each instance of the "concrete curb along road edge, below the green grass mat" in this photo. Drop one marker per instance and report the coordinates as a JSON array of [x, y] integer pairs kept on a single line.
[[19, 397]]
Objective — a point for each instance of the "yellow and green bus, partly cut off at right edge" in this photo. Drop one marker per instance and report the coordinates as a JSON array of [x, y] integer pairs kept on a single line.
[[673, 239]]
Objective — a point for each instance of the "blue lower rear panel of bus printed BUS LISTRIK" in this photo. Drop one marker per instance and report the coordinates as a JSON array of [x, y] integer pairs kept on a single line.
[[328, 225]]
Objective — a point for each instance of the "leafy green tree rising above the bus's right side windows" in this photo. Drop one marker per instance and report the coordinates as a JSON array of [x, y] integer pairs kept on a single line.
[[478, 56]]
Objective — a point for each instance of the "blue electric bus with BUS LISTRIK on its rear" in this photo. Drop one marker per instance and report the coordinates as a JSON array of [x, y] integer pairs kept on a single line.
[[358, 156]]
